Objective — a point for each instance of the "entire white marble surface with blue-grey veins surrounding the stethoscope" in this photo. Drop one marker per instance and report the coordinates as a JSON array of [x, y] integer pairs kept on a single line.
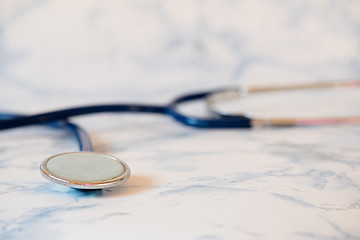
[[186, 183]]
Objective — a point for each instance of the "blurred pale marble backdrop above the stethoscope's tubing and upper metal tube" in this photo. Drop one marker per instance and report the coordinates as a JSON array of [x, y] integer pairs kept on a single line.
[[61, 53]]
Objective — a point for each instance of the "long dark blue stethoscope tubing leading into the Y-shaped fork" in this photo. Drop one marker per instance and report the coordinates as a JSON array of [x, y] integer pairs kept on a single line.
[[170, 109]]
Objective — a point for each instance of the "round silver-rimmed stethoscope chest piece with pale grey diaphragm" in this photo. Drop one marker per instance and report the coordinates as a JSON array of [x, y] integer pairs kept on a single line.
[[85, 170]]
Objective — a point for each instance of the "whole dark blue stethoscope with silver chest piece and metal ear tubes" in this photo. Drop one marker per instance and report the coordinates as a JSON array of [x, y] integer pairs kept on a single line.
[[90, 170]]
